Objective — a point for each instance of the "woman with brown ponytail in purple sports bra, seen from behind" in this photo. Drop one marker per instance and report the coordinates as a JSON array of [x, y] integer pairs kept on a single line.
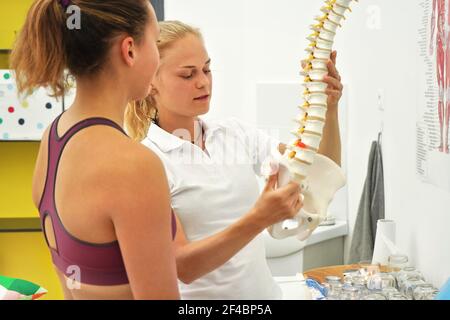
[[109, 237]]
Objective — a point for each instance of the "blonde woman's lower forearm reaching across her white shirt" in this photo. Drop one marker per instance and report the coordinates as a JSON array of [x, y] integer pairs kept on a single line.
[[199, 258]]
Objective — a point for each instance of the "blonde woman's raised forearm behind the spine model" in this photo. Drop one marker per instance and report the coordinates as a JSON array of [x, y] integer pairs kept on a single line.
[[330, 145]]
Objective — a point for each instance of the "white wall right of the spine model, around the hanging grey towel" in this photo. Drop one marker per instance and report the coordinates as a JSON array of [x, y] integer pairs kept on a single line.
[[369, 57]]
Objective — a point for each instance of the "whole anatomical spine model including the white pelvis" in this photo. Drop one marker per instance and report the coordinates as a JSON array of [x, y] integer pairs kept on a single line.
[[320, 178]]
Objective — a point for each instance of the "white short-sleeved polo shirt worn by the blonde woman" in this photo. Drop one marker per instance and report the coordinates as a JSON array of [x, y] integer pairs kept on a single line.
[[212, 190]]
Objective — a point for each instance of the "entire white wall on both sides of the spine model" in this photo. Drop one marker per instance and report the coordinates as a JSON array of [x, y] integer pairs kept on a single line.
[[252, 41]]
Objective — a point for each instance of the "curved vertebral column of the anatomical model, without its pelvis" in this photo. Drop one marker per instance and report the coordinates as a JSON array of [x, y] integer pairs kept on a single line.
[[311, 120]]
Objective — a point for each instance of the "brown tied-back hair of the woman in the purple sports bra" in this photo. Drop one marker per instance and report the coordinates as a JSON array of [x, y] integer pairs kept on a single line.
[[46, 46]]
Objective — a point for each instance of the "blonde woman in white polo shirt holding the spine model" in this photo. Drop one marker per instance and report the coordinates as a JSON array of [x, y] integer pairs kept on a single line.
[[212, 168]]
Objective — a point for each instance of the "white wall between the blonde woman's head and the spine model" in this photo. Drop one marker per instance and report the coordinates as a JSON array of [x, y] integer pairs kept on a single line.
[[249, 41]]
